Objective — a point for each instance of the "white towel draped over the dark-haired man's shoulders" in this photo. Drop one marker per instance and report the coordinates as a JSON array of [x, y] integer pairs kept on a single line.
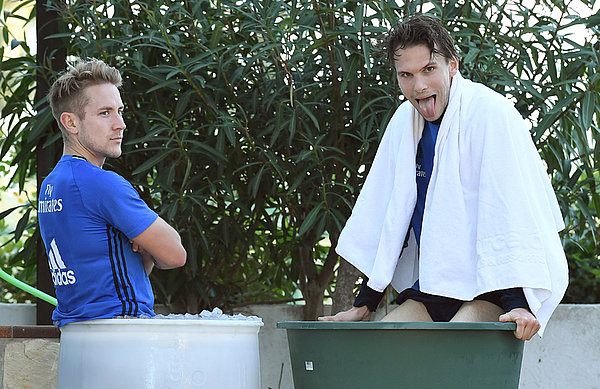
[[491, 218]]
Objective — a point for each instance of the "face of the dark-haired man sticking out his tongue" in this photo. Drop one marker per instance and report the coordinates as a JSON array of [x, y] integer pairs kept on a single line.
[[425, 79]]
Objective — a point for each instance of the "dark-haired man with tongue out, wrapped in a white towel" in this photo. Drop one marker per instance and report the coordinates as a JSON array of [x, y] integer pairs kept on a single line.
[[426, 66]]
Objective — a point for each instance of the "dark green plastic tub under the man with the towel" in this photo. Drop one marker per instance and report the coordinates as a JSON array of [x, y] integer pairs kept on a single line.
[[386, 355]]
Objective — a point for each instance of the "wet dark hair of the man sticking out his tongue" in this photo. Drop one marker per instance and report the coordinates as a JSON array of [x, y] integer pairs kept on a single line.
[[420, 30]]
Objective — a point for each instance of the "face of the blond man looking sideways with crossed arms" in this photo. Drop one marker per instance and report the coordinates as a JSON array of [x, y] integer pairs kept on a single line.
[[101, 129]]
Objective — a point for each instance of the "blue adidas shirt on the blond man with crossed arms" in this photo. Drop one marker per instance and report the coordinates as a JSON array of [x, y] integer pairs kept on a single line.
[[87, 216]]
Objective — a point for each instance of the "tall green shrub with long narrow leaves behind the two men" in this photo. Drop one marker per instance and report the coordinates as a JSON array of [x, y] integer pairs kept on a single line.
[[252, 124]]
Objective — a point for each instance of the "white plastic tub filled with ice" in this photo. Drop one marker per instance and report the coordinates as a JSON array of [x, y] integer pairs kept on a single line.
[[159, 354]]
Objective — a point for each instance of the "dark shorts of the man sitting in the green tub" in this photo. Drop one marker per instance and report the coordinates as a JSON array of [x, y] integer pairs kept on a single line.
[[442, 308]]
